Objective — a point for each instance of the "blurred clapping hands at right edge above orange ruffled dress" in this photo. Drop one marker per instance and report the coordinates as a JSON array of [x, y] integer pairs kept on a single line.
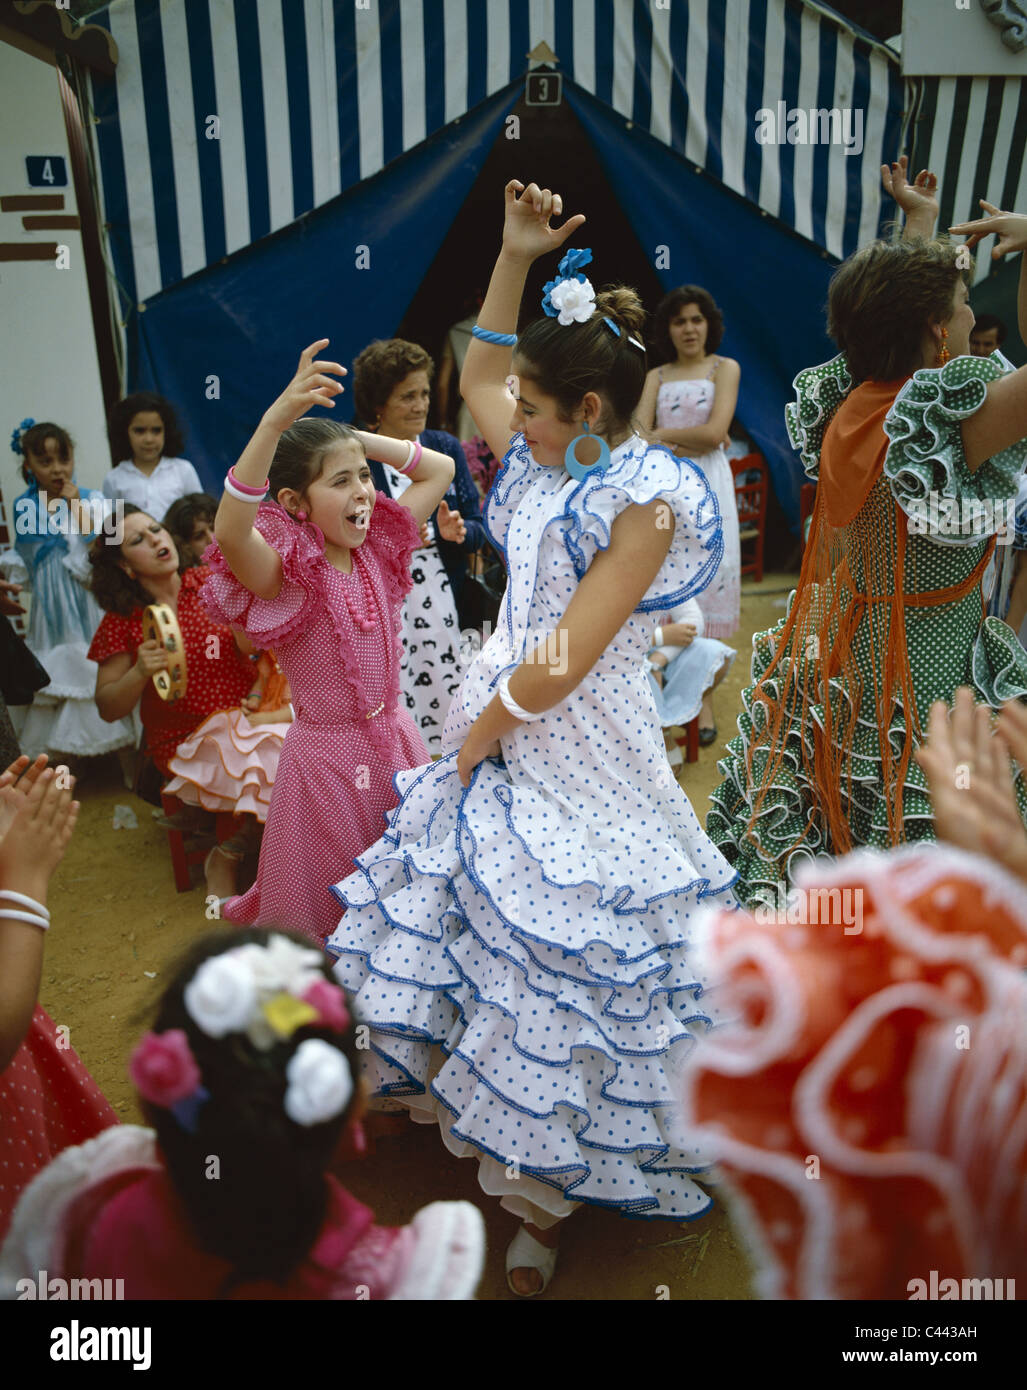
[[971, 776]]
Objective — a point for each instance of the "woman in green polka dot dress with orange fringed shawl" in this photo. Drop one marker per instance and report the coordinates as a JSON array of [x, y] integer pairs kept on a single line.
[[918, 451]]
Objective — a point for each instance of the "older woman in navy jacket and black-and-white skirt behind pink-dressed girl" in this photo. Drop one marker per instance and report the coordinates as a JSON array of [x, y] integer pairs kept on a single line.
[[393, 390]]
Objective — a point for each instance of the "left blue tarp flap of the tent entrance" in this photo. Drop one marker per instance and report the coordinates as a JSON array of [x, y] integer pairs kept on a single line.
[[247, 322]]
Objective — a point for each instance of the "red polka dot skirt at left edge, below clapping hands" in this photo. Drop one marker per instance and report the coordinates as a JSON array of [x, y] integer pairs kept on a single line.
[[48, 1103]]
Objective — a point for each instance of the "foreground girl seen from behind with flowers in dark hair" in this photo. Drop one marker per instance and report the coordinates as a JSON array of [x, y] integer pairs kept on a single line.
[[251, 1065]]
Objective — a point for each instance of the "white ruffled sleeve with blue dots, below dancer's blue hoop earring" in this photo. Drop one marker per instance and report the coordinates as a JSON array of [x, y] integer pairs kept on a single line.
[[641, 476]]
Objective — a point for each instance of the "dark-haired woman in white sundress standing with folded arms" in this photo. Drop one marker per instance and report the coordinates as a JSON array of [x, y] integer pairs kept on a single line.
[[689, 405]]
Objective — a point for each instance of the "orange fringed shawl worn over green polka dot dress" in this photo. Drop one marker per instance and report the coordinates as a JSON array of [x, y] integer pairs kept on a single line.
[[854, 590]]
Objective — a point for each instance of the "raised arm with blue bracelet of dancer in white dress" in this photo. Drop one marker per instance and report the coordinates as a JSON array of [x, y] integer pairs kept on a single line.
[[487, 366]]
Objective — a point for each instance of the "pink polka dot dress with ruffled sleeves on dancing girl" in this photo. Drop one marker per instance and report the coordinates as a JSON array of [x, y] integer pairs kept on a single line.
[[337, 640]]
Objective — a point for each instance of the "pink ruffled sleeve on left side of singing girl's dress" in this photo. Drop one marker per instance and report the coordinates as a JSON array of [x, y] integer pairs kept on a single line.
[[279, 621]]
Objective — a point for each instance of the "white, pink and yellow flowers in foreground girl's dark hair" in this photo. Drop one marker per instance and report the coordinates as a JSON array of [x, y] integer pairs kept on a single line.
[[266, 993]]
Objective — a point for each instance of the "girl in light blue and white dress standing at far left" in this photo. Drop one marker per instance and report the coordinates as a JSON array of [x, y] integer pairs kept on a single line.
[[55, 521]]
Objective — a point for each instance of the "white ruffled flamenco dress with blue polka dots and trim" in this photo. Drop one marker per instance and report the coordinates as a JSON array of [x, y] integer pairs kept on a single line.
[[520, 947]]
